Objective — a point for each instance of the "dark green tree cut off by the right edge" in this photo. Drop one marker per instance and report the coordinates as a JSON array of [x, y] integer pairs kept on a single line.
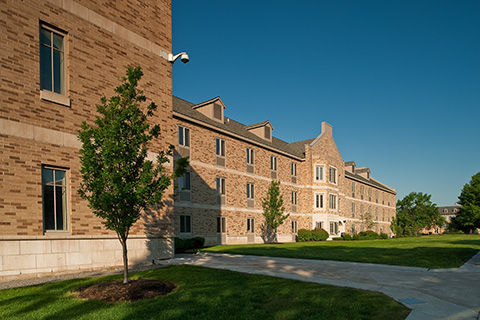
[[468, 218]]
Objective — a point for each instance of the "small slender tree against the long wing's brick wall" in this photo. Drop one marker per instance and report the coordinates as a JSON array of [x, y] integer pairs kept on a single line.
[[273, 210]]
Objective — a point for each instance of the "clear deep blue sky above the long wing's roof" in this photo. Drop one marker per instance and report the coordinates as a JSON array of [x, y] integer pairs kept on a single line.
[[399, 81]]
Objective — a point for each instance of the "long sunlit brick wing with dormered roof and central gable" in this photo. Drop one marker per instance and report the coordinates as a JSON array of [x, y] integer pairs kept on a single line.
[[232, 166]]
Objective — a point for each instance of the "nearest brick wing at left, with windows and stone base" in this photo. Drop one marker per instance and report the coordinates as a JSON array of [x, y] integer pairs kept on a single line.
[[57, 59]]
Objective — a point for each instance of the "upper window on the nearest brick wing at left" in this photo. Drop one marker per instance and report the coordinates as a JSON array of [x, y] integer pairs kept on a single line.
[[52, 60]]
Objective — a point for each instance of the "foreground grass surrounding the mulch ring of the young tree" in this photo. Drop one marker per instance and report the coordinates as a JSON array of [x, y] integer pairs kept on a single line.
[[204, 294]]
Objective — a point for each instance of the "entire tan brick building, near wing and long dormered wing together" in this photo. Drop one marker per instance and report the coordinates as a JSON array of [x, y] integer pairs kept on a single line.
[[57, 59]]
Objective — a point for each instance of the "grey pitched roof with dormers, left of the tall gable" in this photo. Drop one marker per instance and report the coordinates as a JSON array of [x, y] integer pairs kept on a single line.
[[185, 109]]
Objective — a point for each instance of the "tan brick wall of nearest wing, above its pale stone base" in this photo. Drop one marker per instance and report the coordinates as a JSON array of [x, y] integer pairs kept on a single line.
[[103, 39]]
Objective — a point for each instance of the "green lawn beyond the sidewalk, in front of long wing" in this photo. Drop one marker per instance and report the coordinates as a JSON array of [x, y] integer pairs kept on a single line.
[[441, 251]]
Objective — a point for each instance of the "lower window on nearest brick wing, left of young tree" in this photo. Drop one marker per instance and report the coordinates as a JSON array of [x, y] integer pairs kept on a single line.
[[54, 198]]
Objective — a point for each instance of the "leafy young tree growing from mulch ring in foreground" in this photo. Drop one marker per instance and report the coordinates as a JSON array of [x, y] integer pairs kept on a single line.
[[117, 179]]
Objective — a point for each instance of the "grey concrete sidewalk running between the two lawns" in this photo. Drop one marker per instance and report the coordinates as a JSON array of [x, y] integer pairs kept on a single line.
[[430, 293]]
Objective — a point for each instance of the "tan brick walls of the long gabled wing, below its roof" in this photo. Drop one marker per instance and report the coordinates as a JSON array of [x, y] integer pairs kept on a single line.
[[204, 210]]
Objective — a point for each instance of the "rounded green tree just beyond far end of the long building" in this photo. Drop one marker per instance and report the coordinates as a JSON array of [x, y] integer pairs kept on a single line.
[[415, 212]]
